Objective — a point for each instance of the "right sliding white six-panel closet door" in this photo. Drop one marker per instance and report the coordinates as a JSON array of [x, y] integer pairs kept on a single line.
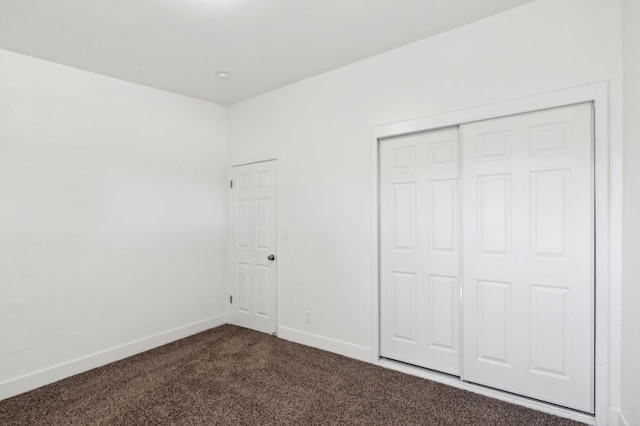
[[528, 227]]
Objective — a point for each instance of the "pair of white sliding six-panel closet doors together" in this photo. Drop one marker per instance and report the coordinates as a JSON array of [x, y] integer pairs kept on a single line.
[[487, 253]]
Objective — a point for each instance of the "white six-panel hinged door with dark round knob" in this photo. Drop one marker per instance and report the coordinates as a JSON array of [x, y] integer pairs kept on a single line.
[[253, 246]]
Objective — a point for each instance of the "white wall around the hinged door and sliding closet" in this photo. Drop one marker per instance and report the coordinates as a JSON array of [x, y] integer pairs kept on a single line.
[[319, 129]]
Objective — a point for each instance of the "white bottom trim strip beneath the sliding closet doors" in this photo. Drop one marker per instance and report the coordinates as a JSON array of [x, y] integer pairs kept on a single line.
[[502, 396]]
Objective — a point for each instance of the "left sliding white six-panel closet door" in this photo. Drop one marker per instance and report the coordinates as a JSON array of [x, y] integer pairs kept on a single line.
[[419, 250]]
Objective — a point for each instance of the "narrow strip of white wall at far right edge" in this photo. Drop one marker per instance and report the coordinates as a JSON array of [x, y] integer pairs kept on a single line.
[[630, 368]]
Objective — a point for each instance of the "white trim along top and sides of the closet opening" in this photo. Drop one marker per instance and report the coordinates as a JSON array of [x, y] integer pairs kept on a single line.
[[607, 182]]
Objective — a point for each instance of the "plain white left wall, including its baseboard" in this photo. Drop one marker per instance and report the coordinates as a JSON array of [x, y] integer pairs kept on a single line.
[[113, 218]]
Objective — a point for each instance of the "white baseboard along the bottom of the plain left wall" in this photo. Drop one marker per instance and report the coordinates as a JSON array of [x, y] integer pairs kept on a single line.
[[52, 374]]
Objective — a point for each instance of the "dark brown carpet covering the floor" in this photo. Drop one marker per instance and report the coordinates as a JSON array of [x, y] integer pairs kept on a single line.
[[234, 376]]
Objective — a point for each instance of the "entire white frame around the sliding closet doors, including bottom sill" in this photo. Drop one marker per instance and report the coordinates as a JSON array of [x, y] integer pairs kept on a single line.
[[607, 234]]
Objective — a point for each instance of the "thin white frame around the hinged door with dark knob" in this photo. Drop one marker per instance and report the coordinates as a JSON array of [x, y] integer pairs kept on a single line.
[[229, 236]]
